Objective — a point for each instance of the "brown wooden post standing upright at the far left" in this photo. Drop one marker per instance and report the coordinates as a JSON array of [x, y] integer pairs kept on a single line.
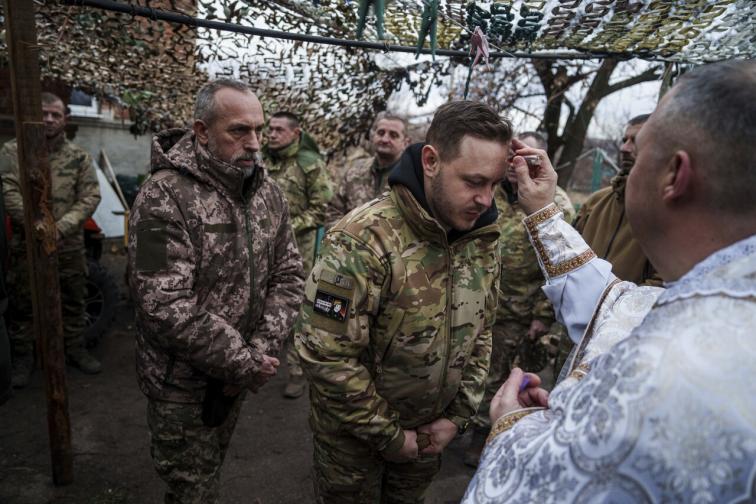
[[39, 226]]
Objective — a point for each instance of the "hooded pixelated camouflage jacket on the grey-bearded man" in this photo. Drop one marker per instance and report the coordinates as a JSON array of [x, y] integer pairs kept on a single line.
[[213, 271]]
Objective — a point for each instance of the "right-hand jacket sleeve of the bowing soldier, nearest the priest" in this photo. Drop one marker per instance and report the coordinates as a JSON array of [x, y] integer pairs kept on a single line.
[[472, 387]]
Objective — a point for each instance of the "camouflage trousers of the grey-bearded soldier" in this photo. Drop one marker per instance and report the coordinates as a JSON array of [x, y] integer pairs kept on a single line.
[[188, 455]]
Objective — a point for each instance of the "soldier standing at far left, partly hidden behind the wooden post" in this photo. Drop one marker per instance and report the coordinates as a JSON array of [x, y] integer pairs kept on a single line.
[[76, 194]]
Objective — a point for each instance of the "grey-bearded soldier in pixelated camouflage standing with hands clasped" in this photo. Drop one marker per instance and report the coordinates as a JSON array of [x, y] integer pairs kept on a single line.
[[217, 282]]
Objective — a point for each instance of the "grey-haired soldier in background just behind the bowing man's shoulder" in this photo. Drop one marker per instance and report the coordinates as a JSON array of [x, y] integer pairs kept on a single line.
[[367, 178]]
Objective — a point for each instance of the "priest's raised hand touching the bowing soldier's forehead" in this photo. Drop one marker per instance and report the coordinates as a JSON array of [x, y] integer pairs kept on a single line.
[[536, 181]]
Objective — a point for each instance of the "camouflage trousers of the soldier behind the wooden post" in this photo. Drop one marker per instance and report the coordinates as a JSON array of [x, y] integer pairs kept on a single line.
[[72, 272]]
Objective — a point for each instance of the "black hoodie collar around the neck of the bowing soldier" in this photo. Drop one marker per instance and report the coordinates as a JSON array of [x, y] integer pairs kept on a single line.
[[408, 172]]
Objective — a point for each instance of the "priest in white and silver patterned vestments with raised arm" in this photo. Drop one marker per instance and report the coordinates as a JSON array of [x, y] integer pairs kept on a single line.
[[658, 402]]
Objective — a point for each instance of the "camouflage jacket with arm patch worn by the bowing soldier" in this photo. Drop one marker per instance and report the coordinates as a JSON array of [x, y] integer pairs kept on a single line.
[[395, 330]]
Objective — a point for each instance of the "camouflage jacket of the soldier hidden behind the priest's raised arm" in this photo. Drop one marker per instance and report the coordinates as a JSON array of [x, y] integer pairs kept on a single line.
[[520, 297]]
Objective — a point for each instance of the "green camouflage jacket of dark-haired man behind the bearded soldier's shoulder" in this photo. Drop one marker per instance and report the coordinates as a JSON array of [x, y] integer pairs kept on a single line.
[[302, 175]]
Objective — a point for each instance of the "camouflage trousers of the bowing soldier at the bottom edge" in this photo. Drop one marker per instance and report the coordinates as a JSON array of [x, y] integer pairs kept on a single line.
[[347, 471]]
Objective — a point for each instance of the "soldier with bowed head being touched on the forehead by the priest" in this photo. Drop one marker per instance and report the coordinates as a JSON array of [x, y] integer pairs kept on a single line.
[[395, 330]]
